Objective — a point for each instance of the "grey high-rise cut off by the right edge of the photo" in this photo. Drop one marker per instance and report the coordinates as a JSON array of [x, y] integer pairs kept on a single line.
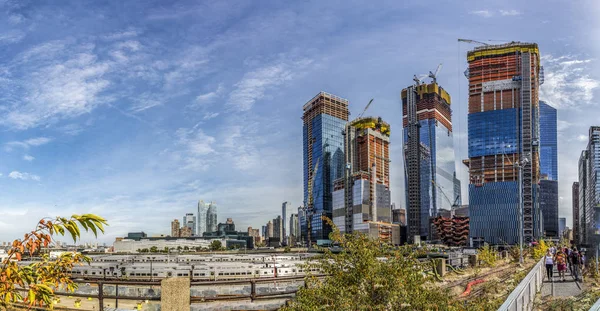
[[589, 189]]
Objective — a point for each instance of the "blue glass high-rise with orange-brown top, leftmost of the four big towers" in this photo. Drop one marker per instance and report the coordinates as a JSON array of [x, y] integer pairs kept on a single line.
[[324, 119]]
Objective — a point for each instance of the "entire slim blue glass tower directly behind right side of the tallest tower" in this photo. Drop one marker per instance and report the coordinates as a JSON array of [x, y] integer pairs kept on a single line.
[[548, 170]]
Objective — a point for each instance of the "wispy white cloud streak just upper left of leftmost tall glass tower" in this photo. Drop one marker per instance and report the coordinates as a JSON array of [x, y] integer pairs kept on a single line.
[[255, 84]]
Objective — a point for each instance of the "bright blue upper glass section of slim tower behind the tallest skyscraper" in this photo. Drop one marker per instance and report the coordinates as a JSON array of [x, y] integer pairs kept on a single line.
[[548, 142]]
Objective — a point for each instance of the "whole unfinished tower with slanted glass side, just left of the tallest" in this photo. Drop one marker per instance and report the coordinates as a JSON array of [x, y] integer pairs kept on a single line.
[[428, 155]]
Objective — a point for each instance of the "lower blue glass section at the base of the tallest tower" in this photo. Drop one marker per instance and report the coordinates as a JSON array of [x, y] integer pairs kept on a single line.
[[493, 208]]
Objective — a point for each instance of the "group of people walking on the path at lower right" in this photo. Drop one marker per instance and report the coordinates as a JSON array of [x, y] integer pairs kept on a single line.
[[563, 258]]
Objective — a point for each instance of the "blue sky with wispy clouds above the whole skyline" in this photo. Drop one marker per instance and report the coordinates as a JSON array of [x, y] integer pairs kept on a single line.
[[135, 110]]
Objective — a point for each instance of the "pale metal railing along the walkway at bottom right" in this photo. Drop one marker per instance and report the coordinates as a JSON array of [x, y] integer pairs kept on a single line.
[[523, 295]]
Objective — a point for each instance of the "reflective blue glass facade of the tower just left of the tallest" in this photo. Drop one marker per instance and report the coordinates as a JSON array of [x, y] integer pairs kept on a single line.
[[437, 170]]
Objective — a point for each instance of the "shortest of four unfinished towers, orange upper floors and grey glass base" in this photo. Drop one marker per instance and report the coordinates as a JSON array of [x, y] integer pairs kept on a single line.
[[363, 194]]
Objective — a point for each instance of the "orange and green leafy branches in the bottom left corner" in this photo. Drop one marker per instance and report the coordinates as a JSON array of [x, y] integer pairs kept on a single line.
[[41, 278]]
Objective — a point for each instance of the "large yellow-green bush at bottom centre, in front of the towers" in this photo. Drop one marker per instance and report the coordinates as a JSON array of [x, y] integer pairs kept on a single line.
[[369, 275]]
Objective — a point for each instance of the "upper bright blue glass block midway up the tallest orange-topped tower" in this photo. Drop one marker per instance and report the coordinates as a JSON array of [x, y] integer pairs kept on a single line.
[[494, 132]]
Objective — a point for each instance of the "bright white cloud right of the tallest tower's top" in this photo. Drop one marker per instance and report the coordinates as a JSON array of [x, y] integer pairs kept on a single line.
[[566, 84]]
